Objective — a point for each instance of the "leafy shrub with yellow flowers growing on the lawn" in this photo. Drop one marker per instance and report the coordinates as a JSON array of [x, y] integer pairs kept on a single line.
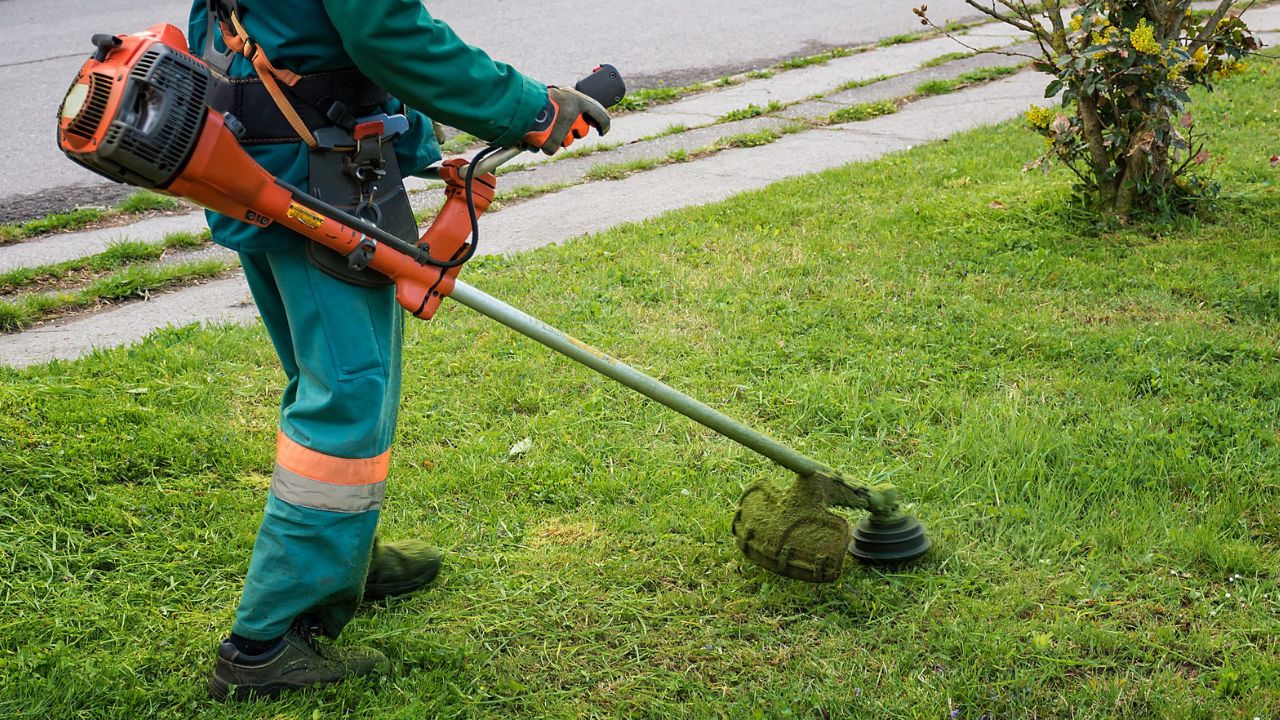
[[1124, 70]]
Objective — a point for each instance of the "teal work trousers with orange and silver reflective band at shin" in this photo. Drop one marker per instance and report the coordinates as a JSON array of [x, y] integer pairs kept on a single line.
[[340, 347]]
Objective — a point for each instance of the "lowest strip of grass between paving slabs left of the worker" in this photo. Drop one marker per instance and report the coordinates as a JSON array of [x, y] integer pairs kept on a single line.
[[135, 281]]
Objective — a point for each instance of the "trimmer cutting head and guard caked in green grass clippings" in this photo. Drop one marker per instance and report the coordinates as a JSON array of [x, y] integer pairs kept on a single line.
[[790, 532]]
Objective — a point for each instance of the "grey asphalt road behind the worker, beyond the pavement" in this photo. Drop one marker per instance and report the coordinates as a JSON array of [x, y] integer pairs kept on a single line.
[[652, 42]]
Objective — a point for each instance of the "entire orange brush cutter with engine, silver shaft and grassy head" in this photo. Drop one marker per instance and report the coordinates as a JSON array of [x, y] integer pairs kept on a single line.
[[139, 115]]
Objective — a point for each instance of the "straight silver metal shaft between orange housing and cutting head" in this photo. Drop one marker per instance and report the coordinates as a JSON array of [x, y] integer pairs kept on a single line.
[[636, 380]]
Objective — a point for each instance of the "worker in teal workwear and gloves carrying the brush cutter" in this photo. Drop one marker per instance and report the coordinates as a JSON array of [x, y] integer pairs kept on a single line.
[[301, 74]]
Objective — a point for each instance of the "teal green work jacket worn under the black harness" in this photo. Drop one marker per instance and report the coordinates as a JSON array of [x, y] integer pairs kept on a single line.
[[397, 44]]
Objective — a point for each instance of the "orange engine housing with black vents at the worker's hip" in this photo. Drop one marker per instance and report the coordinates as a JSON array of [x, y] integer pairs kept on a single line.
[[139, 115]]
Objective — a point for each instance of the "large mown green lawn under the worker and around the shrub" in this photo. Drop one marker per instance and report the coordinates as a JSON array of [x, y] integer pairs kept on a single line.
[[1086, 421]]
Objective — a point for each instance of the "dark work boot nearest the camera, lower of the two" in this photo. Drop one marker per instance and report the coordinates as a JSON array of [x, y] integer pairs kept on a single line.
[[298, 663]]
